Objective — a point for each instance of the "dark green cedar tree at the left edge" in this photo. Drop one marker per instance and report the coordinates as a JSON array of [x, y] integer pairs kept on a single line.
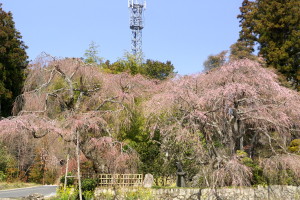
[[13, 62]]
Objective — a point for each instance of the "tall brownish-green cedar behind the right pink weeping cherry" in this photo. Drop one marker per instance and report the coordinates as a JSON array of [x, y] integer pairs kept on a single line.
[[274, 25]]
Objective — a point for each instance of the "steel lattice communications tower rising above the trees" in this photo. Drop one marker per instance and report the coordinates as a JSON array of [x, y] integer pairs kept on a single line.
[[136, 25]]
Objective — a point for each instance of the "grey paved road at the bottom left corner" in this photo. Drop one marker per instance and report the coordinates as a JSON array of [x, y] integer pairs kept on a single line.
[[46, 190]]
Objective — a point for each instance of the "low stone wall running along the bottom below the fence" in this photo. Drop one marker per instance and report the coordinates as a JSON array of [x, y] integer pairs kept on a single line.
[[255, 193]]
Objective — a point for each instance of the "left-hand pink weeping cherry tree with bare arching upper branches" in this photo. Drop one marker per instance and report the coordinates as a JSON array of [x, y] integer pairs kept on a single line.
[[65, 96]]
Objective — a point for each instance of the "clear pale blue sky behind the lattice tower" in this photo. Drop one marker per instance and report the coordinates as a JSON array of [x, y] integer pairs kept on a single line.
[[184, 32]]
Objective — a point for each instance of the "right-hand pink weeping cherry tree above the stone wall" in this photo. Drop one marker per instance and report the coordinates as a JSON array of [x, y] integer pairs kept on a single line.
[[212, 118]]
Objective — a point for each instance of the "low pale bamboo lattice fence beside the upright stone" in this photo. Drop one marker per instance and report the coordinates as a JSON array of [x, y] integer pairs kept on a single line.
[[118, 180]]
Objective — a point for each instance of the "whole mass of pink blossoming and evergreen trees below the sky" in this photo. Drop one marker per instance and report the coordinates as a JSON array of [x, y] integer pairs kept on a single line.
[[235, 124]]
